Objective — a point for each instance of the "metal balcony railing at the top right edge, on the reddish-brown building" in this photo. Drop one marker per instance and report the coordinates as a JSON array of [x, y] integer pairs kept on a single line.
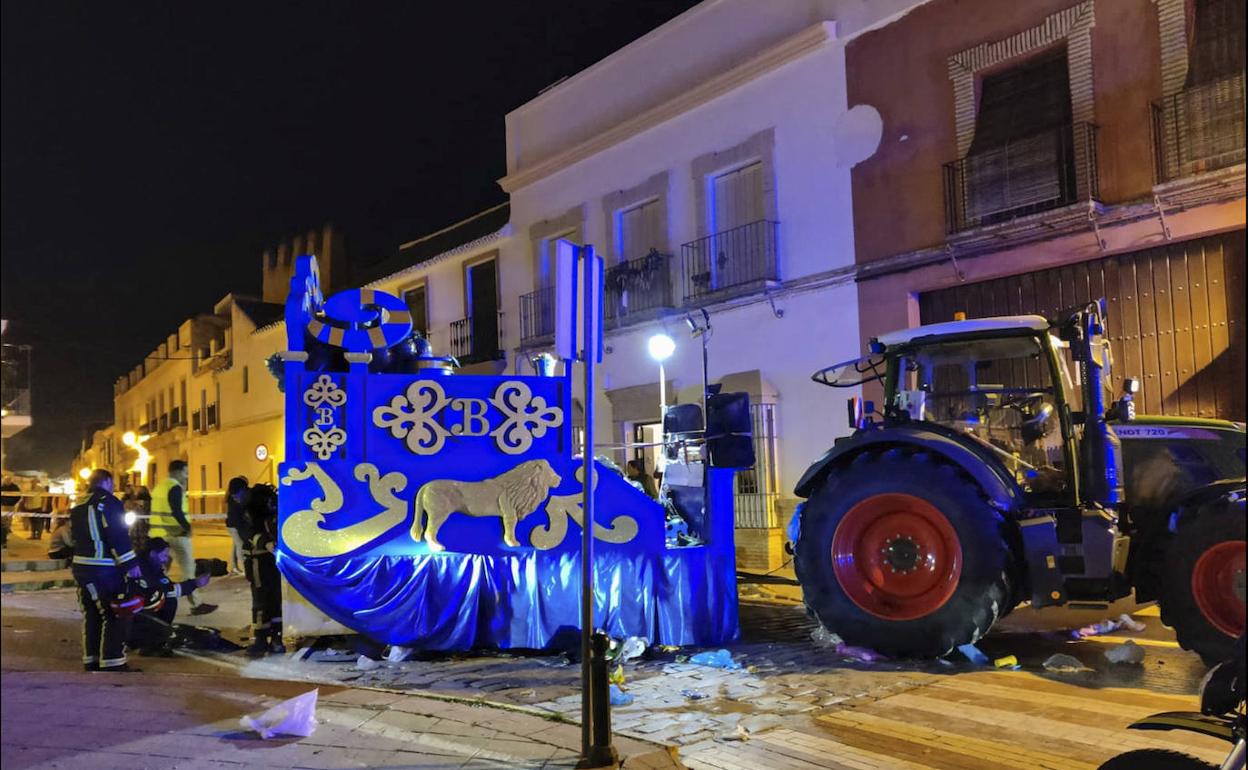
[[1200, 129]]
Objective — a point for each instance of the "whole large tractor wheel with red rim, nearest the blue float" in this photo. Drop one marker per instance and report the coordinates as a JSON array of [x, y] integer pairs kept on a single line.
[[902, 553]]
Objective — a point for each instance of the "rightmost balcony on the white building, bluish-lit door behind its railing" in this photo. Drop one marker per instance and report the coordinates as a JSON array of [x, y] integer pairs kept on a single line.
[[731, 263]]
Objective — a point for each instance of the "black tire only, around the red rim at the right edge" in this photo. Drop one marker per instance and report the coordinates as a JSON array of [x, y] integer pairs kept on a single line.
[[1209, 526]]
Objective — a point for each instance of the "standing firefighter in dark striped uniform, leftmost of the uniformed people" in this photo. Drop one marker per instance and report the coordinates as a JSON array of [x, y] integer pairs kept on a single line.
[[103, 556]]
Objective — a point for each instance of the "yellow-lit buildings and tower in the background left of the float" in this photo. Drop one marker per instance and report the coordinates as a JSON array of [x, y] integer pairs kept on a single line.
[[207, 396]]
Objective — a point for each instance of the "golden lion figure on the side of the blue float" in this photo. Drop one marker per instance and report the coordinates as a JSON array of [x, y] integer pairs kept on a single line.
[[511, 496]]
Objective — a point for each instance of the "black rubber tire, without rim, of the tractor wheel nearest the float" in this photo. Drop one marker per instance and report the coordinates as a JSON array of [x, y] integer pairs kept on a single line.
[[989, 565]]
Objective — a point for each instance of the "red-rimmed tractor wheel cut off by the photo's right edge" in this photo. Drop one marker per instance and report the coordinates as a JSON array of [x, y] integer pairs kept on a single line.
[[1204, 593]]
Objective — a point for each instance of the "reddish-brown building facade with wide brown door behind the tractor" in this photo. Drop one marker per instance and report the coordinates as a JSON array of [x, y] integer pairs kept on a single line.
[[1049, 154]]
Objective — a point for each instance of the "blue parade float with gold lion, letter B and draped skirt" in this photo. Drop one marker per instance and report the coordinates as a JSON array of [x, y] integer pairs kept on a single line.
[[444, 512]]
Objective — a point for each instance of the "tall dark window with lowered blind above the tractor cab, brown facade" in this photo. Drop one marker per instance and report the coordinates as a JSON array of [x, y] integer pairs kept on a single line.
[[1023, 157]]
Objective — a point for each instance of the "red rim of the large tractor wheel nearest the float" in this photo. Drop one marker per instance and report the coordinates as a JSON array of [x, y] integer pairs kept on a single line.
[[897, 557]]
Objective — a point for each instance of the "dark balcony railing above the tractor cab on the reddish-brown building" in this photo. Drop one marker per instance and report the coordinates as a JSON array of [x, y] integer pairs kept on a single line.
[[1039, 173]]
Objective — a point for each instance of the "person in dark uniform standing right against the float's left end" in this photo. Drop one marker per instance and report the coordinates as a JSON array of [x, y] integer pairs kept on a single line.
[[261, 567]]
